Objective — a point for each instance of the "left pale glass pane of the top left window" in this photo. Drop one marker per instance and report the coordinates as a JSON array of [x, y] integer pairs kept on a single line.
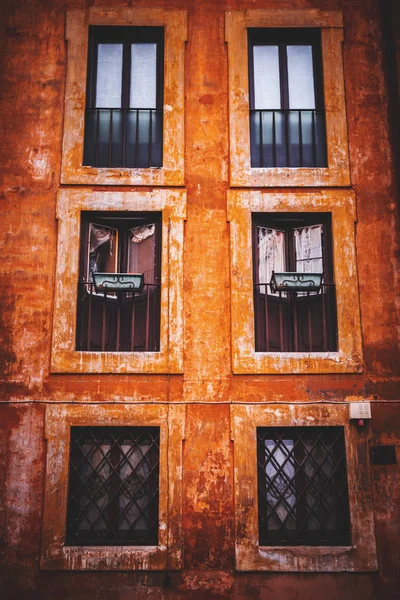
[[109, 76]]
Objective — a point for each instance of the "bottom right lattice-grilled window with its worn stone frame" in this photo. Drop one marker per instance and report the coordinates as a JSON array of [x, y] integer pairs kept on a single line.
[[303, 495]]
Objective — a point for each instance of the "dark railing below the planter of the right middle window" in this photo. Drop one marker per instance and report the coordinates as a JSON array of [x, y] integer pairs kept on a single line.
[[295, 321]]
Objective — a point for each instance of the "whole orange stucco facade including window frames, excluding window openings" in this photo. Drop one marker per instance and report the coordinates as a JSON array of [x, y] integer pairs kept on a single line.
[[207, 389]]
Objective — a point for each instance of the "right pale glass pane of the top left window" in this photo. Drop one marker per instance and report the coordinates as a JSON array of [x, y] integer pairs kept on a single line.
[[143, 76]]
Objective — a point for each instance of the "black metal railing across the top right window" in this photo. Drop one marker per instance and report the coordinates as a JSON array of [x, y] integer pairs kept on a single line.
[[288, 138]]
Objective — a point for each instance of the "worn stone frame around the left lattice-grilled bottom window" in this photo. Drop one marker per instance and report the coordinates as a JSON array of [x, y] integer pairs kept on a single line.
[[168, 554]]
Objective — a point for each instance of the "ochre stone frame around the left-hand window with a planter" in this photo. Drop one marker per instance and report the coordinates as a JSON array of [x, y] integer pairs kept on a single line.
[[70, 204]]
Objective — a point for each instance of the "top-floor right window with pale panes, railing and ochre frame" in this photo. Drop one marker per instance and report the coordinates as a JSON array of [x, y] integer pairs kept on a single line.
[[287, 113]]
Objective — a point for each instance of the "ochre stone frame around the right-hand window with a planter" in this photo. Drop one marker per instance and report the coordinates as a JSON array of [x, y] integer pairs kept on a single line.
[[342, 205]]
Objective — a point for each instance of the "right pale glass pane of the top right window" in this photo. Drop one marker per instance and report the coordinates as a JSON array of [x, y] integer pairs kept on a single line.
[[301, 77]]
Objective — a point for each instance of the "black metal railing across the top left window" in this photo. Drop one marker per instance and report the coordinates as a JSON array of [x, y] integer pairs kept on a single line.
[[116, 137]]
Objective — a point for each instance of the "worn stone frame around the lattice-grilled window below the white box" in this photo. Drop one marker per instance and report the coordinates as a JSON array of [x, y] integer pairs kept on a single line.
[[249, 555]]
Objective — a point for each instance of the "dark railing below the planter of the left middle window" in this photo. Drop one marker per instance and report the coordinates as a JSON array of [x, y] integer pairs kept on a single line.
[[119, 321]]
